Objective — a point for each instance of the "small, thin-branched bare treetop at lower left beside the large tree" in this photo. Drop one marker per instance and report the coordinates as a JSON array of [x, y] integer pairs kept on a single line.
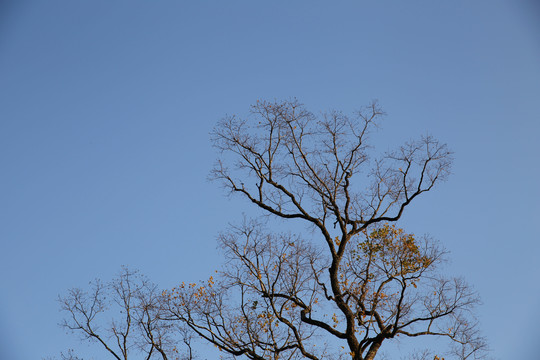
[[123, 316]]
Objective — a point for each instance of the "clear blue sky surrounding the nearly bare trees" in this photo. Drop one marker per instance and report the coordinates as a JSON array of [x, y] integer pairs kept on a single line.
[[106, 106]]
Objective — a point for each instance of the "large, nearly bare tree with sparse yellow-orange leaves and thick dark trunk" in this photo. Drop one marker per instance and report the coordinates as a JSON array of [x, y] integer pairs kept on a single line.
[[357, 281]]
